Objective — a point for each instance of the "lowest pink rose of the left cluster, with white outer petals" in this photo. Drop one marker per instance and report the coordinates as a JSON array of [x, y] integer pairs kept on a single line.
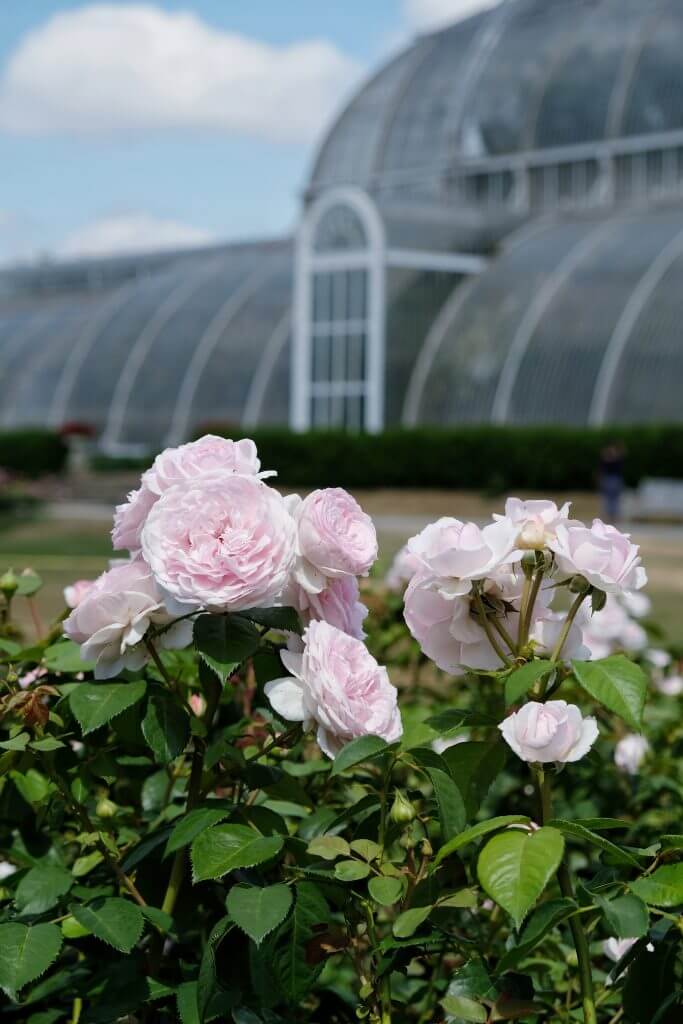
[[337, 686]]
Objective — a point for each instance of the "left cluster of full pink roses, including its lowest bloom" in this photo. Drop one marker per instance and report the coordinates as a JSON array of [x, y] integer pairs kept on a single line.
[[206, 534]]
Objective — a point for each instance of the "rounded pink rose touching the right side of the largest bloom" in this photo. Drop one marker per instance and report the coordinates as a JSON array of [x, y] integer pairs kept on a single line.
[[335, 538]]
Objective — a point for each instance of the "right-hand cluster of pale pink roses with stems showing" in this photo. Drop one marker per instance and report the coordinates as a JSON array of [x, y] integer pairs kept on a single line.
[[468, 593]]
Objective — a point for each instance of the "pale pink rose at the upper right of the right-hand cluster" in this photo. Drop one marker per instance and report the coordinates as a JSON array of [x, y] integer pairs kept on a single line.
[[601, 553]]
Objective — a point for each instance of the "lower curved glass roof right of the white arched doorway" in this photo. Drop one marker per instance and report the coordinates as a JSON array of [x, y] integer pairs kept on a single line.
[[577, 323]]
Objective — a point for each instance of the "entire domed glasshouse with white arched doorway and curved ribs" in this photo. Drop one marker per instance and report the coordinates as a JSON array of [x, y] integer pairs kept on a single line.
[[492, 232]]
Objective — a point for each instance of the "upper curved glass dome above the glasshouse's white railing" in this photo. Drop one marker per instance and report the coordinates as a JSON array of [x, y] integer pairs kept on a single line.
[[526, 75]]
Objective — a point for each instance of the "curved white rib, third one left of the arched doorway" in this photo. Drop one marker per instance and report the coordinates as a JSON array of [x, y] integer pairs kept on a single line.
[[168, 309]]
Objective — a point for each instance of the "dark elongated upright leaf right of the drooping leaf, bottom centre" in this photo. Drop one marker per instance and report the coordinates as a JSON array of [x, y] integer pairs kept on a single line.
[[294, 972]]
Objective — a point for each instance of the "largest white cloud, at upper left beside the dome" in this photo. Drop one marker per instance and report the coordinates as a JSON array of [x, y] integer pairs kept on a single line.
[[121, 70]]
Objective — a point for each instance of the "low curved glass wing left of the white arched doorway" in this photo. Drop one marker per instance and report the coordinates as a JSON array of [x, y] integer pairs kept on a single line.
[[149, 356]]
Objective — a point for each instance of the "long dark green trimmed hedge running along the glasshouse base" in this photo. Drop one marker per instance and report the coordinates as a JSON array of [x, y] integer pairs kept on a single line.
[[492, 459]]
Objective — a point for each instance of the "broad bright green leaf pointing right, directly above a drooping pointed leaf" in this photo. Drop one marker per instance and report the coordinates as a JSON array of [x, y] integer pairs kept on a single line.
[[224, 848]]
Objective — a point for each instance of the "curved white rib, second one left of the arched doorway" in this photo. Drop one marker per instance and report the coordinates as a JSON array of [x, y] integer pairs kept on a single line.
[[215, 332]]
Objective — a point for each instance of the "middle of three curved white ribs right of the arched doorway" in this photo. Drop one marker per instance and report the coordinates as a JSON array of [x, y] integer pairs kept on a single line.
[[535, 313]]
